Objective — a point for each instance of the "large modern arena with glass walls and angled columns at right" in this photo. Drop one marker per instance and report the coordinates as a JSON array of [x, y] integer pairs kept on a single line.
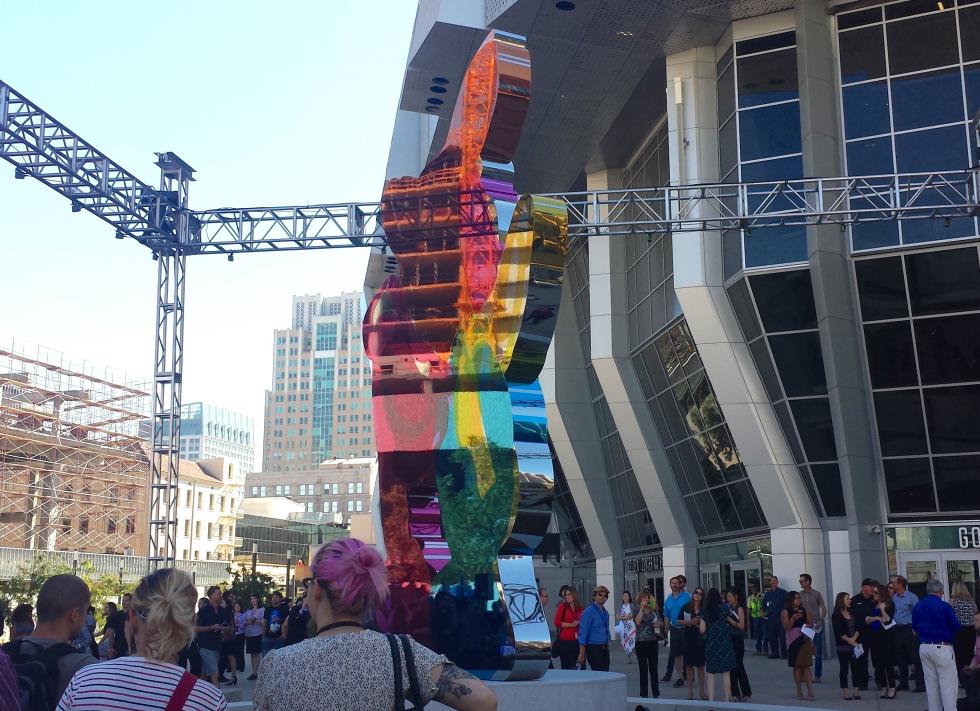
[[734, 399]]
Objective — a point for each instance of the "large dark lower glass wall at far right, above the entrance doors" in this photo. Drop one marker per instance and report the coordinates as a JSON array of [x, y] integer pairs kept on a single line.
[[921, 314]]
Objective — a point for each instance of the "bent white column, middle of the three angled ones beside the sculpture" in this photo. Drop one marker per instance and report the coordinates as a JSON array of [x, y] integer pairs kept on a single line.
[[621, 385]]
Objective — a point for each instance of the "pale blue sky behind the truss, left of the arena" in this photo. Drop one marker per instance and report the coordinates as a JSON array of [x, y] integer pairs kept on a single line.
[[272, 103]]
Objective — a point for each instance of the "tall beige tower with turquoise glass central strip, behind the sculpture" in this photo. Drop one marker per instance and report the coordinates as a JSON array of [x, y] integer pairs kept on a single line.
[[319, 406]]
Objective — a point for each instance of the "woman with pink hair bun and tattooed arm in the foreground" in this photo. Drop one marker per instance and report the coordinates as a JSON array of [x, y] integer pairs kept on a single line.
[[346, 667]]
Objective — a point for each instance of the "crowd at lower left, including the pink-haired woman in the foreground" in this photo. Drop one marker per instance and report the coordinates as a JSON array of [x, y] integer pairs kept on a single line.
[[164, 648]]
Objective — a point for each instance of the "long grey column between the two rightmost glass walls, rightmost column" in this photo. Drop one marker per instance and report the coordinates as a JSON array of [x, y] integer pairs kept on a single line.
[[837, 310]]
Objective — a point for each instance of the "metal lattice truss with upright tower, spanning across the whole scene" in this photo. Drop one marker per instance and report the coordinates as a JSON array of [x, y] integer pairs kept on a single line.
[[41, 147]]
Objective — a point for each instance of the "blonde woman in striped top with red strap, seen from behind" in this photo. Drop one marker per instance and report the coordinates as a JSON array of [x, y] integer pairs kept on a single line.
[[159, 623]]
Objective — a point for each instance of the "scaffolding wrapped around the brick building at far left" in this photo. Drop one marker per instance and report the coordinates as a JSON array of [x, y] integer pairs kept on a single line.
[[73, 470]]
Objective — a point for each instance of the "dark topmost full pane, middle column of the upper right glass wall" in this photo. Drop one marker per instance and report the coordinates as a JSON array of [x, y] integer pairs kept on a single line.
[[922, 43]]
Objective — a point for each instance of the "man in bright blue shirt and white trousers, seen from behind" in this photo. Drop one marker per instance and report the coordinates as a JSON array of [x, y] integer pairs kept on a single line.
[[935, 622]]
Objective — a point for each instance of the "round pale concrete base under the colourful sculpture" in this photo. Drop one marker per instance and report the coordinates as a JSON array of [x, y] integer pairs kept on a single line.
[[559, 689]]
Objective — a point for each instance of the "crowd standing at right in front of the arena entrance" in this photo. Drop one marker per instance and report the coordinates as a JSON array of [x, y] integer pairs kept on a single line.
[[927, 645]]
